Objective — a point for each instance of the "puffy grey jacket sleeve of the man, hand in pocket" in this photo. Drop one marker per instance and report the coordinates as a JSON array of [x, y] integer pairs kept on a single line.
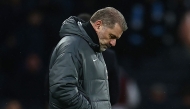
[[63, 79]]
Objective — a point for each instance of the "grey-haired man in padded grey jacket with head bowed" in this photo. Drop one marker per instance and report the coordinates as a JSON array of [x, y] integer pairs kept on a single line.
[[78, 75]]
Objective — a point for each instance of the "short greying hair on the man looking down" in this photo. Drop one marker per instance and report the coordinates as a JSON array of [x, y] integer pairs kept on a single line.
[[109, 17]]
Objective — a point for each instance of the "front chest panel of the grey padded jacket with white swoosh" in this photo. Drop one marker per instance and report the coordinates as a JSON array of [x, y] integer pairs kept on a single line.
[[96, 78]]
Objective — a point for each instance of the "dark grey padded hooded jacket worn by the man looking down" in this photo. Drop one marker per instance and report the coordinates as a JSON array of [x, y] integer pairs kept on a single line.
[[78, 76]]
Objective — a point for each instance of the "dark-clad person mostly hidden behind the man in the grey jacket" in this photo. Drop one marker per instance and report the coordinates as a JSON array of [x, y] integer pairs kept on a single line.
[[112, 67]]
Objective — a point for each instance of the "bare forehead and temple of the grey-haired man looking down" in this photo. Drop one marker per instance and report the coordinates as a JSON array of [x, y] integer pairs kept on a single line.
[[117, 31]]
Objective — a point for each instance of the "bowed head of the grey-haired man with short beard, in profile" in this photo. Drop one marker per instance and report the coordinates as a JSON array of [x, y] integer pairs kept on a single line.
[[109, 25]]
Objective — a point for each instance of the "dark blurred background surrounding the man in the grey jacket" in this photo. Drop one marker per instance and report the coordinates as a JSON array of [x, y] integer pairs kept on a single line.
[[153, 54]]
